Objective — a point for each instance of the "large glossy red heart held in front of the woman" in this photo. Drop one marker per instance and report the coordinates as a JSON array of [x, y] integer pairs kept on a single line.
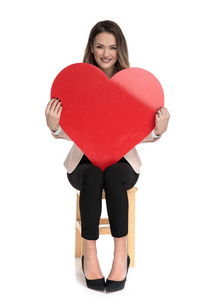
[[107, 118]]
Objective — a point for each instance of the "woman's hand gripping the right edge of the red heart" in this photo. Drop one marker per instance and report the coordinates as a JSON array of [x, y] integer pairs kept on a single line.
[[161, 120]]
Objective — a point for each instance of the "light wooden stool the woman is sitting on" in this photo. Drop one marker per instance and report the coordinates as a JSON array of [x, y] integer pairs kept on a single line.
[[104, 227]]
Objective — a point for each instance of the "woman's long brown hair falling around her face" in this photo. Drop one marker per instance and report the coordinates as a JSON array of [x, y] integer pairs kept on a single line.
[[122, 50]]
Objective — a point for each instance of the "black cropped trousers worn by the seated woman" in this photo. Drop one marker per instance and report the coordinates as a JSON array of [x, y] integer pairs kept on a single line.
[[116, 180]]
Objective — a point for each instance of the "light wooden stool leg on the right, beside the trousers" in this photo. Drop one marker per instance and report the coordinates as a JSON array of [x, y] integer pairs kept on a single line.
[[131, 228]]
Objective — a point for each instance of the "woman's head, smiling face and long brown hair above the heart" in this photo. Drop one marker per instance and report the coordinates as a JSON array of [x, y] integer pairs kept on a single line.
[[106, 38]]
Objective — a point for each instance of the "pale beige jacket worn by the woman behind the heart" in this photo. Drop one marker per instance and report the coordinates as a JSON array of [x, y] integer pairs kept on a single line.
[[75, 154]]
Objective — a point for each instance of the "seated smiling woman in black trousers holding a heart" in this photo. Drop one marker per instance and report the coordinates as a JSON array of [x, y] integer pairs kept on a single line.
[[106, 49]]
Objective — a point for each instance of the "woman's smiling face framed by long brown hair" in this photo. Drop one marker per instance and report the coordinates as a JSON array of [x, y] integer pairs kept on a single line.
[[105, 51]]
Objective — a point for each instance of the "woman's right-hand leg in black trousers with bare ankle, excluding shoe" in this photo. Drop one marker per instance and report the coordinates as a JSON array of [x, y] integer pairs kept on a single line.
[[118, 178]]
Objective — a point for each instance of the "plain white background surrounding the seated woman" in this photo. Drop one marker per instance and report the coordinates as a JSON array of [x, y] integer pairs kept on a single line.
[[37, 212]]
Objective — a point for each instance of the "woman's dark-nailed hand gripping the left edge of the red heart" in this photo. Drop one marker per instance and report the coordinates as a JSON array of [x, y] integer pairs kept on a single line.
[[53, 113]]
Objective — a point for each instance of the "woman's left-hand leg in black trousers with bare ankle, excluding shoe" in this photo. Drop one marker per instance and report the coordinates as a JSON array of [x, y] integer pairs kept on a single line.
[[89, 180]]
